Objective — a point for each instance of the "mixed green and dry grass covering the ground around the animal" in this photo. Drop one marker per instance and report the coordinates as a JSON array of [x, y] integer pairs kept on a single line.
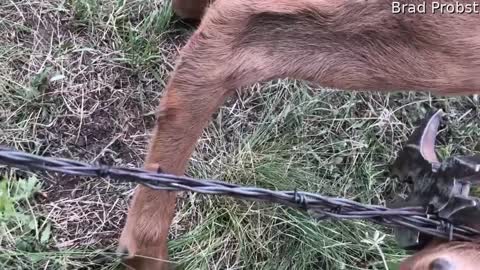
[[82, 78]]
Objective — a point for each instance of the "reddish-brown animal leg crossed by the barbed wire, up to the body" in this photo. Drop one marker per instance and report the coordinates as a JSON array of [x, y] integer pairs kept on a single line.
[[204, 76]]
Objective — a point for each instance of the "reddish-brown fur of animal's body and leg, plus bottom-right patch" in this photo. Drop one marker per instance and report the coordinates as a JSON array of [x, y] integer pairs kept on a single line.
[[350, 45]]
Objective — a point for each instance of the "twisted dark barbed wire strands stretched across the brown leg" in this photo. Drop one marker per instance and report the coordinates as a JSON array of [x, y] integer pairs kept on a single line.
[[317, 205]]
